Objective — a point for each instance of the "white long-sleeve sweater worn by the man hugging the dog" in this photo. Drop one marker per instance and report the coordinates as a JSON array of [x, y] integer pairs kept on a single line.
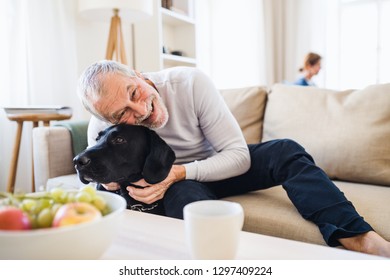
[[201, 130]]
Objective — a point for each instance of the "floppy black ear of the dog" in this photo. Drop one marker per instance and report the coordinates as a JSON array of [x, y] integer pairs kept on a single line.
[[159, 160]]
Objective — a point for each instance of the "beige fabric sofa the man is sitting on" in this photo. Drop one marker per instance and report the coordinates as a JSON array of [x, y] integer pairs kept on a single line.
[[347, 133]]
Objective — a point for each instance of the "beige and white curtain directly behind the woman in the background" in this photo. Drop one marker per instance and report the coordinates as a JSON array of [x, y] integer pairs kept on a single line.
[[293, 28]]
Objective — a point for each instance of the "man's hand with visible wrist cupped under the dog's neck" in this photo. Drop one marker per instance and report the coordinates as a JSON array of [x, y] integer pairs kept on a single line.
[[152, 193]]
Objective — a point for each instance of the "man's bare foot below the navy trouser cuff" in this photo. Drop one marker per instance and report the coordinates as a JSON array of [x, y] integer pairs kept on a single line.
[[369, 243]]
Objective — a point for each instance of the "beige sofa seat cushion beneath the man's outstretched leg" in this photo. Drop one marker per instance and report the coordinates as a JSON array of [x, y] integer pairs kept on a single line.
[[271, 212]]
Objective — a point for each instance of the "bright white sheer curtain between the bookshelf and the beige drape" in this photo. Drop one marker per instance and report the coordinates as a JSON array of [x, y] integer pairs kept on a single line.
[[230, 42]]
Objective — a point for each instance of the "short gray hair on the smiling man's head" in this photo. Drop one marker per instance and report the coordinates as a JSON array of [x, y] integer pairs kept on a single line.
[[91, 84]]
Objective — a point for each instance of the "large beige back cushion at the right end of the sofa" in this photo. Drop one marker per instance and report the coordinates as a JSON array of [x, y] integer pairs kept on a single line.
[[347, 132]]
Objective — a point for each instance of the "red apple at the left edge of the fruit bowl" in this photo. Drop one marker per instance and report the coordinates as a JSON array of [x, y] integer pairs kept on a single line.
[[12, 218]]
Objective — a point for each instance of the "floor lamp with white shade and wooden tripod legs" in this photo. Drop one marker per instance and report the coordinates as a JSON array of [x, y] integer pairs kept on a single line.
[[127, 10]]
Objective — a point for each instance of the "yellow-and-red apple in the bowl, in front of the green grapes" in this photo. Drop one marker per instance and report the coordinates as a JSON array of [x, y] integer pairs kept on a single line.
[[75, 213]]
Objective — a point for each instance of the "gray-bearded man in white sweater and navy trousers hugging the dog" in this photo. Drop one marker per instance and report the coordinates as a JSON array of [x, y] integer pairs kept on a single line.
[[213, 160]]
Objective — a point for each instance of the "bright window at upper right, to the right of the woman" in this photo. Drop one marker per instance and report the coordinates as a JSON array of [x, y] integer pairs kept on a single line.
[[364, 44]]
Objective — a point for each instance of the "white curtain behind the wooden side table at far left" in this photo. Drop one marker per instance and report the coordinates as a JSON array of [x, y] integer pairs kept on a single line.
[[38, 67]]
